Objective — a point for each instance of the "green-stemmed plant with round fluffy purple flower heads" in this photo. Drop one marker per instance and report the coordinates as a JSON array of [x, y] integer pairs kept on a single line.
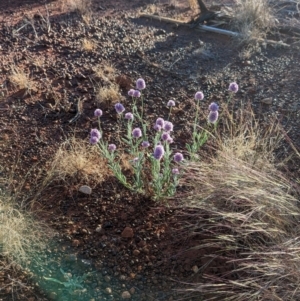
[[156, 169]]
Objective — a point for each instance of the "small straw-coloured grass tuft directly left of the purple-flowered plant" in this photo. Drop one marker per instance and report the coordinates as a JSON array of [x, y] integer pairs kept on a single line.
[[78, 159]]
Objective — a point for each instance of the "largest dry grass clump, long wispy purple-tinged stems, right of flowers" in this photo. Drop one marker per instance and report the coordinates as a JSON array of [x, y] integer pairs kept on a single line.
[[244, 213]]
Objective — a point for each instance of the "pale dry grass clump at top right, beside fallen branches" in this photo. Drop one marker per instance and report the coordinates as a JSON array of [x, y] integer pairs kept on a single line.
[[253, 19]]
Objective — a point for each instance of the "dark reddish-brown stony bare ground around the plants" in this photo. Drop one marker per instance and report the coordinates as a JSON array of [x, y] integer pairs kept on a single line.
[[128, 242]]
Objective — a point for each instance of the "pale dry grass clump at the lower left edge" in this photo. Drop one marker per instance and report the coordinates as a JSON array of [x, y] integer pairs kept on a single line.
[[22, 237]]
